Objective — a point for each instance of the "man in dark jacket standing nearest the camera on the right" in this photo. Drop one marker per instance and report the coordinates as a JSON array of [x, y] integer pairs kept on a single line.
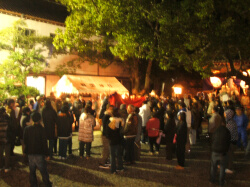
[[220, 146]]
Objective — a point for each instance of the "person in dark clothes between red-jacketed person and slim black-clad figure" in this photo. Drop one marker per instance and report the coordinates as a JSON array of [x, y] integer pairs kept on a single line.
[[169, 131]]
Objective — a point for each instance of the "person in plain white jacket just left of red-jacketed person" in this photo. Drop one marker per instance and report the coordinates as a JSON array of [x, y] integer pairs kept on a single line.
[[145, 114]]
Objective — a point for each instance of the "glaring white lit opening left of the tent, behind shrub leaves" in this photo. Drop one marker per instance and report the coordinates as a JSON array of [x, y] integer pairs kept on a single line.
[[36, 82]]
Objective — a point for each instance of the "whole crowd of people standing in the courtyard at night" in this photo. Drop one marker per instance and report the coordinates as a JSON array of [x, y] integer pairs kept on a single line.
[[40, 125]]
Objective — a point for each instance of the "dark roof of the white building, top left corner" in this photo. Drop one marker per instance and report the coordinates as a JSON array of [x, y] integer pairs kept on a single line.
[[44, 9]]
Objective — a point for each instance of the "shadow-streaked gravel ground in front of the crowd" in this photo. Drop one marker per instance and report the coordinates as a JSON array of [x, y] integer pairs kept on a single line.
[[149, 171]]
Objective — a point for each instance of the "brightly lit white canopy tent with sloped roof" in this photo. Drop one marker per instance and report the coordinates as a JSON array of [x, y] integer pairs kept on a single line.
[[77, 84]]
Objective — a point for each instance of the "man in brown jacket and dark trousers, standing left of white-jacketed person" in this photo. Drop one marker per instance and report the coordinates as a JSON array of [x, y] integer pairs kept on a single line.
[[130, 132]]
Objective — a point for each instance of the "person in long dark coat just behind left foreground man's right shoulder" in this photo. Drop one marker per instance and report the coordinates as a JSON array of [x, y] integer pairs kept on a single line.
[[49, 117]]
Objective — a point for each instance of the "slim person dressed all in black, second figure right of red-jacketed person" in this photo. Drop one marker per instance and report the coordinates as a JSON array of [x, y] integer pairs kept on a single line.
[[181, 140]]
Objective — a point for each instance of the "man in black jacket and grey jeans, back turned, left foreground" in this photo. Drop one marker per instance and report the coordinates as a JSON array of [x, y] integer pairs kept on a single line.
[[36, 148]]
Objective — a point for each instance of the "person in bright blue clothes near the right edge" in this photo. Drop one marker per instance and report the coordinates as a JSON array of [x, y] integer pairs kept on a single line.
[[242, 122]]
